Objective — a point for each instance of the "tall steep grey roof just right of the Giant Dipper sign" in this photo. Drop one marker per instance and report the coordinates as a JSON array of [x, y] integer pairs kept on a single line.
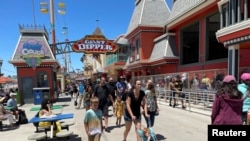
[[149, 13]]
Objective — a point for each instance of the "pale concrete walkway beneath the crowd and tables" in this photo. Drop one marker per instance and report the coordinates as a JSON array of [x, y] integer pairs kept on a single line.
[[173, 124]]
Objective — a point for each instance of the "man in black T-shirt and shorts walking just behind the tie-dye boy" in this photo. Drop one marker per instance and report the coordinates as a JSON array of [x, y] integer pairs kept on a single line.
[[102, 92]]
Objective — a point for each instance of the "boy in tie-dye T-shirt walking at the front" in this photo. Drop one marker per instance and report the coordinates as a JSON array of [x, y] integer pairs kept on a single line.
[[93, 121]]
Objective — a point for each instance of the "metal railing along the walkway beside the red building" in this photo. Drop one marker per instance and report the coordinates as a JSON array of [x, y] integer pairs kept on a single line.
[[200, 101]]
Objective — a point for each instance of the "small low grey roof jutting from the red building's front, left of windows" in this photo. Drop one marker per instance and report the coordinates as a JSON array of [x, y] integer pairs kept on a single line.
[[164, 47]]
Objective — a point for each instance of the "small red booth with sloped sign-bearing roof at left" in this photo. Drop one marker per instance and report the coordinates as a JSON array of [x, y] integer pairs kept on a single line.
[[36, 65]]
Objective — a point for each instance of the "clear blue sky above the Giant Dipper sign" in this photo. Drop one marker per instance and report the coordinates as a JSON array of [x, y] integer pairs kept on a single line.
[[82, 18]]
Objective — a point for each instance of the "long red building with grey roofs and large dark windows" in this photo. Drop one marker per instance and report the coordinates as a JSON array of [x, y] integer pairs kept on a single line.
[[194, 37]]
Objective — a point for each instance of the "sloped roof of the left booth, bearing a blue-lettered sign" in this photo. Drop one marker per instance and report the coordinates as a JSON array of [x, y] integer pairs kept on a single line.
[[33, 49]]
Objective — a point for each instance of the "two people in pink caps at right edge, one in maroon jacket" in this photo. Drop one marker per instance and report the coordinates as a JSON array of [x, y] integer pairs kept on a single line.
[[232, 101]]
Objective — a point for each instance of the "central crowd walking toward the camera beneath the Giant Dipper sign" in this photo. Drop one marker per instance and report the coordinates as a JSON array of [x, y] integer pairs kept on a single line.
[[128, 101]]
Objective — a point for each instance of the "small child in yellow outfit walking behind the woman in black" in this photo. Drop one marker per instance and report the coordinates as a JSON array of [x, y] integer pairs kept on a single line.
[[119, 109]]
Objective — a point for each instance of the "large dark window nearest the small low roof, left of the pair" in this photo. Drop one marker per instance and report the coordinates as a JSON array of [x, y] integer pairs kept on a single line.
[[190, 44]]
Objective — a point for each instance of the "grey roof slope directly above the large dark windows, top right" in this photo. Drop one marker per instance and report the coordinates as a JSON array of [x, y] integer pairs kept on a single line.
[[181, 7]]
